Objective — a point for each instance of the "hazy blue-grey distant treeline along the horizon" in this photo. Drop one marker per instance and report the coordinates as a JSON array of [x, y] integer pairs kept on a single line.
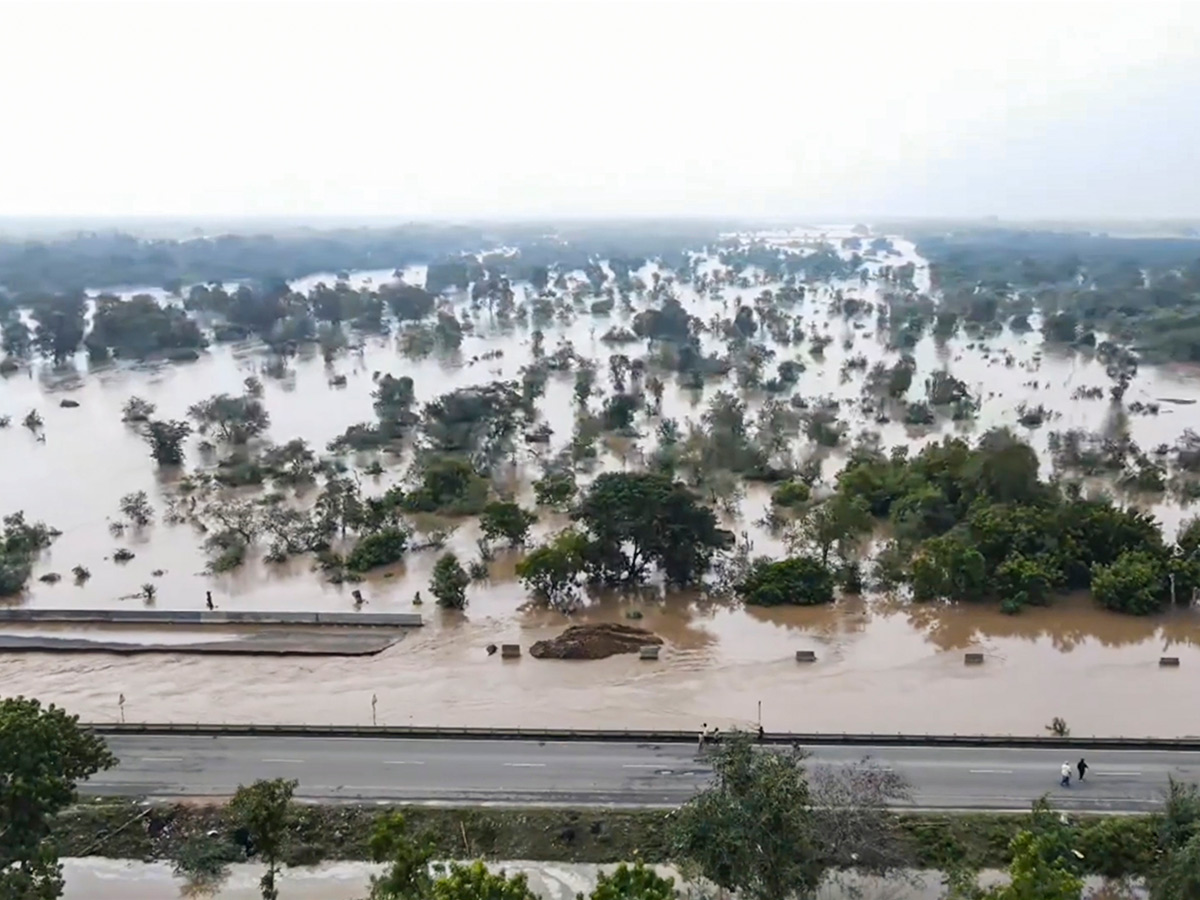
[[94, 260]]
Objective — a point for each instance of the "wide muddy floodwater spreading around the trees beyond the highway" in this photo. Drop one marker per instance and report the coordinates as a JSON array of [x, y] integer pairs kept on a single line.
[[881, 665]]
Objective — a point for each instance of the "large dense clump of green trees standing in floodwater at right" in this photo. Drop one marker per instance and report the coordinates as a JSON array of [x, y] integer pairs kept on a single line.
[[977, 524]]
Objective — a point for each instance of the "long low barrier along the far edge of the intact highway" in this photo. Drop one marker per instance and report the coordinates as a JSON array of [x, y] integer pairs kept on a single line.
[[649, 737]]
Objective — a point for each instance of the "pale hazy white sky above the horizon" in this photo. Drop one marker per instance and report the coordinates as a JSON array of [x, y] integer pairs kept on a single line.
[[599, 109]]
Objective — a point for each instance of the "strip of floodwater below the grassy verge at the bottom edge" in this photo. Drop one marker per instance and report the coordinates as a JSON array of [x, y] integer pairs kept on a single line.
[[97, 879]]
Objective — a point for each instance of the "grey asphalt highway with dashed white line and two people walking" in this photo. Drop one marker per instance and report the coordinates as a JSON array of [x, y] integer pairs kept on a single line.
[[523, 773]]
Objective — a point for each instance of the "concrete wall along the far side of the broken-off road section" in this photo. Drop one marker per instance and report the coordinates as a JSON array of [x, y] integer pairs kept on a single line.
[[206, 617]]
